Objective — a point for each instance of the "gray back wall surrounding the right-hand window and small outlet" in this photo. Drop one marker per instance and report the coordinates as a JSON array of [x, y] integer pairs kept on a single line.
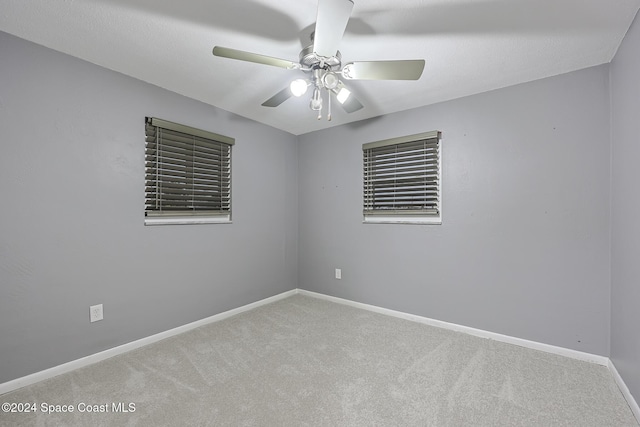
[[523, 248]]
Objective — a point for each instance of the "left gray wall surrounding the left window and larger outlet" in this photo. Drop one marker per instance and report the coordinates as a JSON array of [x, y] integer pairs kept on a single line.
[[71, 220]]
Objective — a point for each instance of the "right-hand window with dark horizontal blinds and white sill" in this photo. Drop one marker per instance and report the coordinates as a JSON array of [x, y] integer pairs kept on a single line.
[[402, 179]]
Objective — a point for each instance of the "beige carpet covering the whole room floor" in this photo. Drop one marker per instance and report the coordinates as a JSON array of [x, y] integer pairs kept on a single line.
[[303, 361]]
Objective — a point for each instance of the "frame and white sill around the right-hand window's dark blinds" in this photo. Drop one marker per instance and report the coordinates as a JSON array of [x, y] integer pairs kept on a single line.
[[398, 216]]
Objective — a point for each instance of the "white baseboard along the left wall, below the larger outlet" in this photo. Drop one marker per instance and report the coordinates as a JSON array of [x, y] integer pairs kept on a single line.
[[97, 357]]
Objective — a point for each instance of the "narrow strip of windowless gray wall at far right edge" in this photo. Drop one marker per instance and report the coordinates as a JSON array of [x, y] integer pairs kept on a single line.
[[625, 239]]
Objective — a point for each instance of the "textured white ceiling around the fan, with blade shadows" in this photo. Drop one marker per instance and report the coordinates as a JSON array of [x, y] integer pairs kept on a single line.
[[470, 46]]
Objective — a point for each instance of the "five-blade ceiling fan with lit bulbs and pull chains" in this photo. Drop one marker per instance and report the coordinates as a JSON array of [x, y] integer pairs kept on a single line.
[[322, 62]]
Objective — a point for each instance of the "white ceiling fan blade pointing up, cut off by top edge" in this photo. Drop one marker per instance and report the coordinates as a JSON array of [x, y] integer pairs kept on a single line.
[[331, 23]]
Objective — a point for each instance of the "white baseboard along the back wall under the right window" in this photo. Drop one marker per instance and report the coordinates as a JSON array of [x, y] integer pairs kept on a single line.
[[561, 351]]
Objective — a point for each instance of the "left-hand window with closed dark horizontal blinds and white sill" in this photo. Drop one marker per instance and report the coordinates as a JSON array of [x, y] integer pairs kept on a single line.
[[187, 174]]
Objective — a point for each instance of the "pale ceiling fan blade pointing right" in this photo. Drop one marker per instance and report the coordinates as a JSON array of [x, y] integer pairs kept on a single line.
[[384, 70]]
